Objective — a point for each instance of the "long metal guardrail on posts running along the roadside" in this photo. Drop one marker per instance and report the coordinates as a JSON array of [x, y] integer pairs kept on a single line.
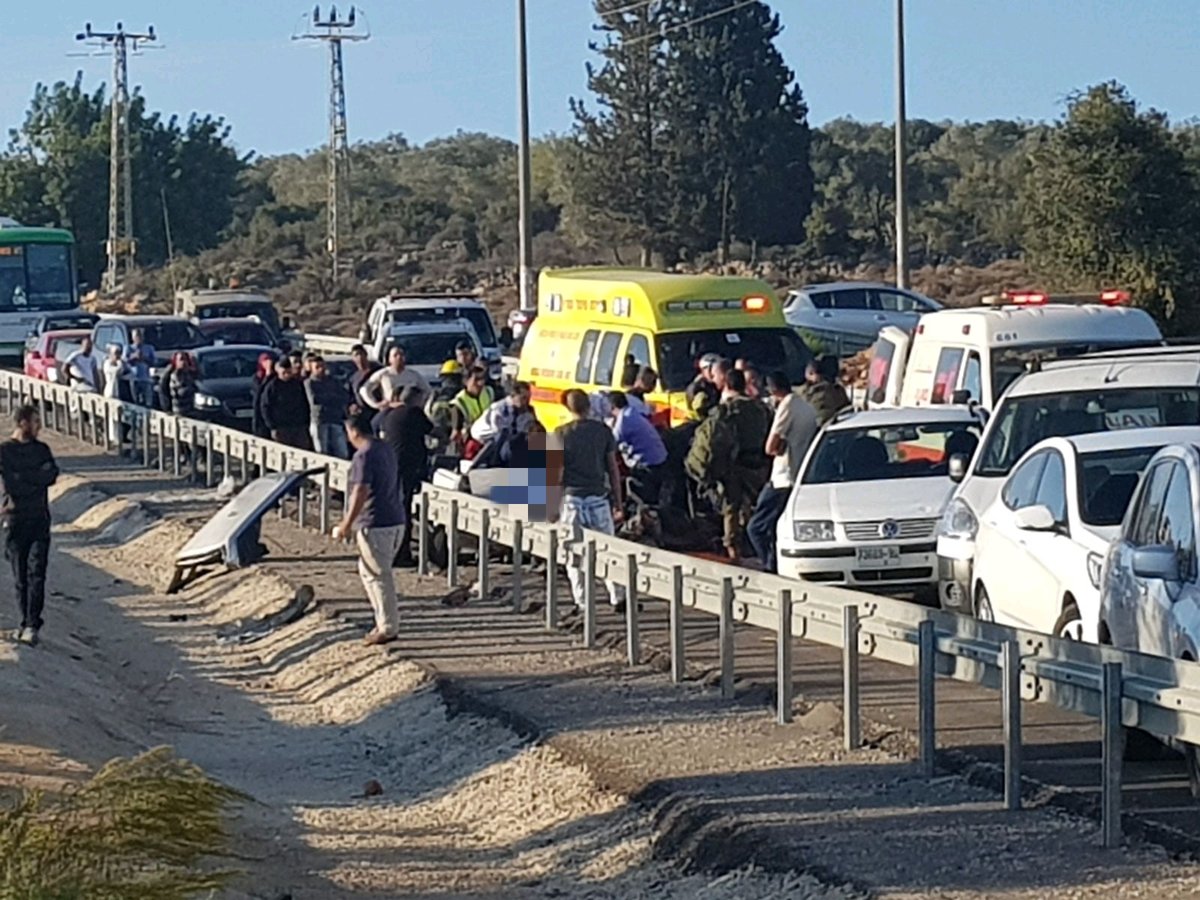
[[1121, 689]]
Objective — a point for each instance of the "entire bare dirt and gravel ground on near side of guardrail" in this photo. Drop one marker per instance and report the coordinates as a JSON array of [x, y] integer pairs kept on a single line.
[[513, 764]]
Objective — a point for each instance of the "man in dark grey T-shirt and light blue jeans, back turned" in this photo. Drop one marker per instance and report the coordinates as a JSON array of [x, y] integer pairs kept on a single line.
[[592, 496]]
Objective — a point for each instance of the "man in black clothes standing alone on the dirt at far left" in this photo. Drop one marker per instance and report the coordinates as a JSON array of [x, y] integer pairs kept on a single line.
[[28, 470]]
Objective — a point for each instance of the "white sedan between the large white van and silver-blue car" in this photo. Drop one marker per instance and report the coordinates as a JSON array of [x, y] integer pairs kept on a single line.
[[1053, 524]]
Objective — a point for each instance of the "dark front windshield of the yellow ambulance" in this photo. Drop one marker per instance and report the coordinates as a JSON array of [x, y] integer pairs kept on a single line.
[[767, 349]]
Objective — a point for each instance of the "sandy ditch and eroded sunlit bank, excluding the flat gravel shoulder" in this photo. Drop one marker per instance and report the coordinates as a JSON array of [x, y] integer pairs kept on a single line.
[[303, 722]]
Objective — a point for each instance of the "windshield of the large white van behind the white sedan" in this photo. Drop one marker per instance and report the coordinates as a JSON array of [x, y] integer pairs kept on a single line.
[[1021, 423]]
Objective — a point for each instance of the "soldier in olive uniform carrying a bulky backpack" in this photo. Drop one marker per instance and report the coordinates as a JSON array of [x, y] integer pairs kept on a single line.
[[728, 455]]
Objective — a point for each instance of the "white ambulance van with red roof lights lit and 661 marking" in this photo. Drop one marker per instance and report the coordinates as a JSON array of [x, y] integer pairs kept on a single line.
[[956, 356]]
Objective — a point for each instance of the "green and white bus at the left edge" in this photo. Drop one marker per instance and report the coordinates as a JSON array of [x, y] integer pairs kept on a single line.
[[38, 275]]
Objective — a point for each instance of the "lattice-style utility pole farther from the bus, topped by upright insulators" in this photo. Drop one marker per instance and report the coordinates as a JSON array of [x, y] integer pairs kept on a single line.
[[334, 32]]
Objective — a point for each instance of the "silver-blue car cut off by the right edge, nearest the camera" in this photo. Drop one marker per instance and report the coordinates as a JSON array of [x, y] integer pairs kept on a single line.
[[1150, 589]]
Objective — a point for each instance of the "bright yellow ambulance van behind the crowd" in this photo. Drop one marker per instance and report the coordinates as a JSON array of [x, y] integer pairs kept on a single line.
[[591, 321]]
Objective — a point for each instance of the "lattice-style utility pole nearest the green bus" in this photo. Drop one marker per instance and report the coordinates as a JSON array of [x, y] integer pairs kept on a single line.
[[122, 247]]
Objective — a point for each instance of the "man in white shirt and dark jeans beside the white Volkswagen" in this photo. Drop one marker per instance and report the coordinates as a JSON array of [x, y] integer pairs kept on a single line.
[[791, 433]]
